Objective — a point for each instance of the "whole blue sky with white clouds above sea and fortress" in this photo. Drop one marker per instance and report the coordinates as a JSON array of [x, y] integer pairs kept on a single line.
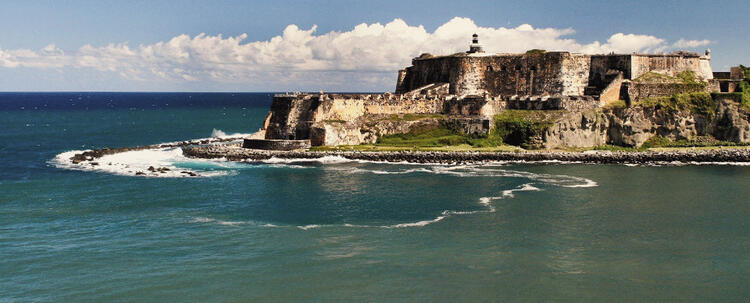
[[262, 46]]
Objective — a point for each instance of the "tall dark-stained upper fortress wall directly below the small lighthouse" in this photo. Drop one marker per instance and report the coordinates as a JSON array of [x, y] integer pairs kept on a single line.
[[552, 73]]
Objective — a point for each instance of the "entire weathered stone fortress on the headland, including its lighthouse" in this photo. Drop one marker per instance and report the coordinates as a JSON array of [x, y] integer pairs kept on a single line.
[[466, 90]]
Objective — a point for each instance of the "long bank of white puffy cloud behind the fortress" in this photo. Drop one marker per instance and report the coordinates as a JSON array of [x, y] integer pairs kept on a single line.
[[366, 53]]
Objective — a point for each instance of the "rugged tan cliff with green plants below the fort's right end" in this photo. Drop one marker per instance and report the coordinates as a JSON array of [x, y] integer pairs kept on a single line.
[[633, 126]]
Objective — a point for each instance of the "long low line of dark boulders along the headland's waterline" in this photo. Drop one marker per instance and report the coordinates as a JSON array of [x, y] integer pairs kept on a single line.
[[234, 153]]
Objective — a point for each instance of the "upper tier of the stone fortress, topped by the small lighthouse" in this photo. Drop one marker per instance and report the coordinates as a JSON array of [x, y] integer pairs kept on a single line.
[[538, 74]]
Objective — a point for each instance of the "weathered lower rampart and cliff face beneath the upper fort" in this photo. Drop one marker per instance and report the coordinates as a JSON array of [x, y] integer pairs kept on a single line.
[[332, 120]]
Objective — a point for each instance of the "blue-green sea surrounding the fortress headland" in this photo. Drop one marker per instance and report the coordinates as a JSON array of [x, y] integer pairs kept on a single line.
[[336, 230]]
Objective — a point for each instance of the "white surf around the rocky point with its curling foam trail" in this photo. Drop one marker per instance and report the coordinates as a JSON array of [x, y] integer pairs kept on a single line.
[[170, 162]]
